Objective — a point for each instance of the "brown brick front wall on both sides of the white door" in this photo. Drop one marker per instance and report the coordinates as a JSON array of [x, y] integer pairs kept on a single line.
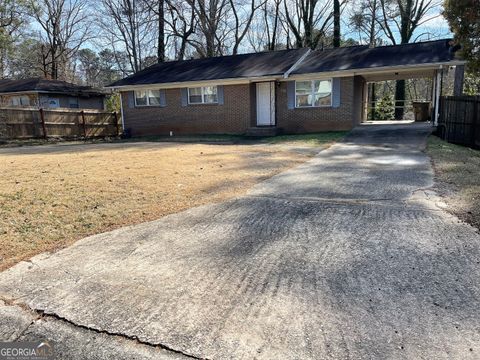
[[237, 114]]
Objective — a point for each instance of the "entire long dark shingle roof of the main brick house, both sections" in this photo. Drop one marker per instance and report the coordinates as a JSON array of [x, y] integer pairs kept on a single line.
[[293, 61]]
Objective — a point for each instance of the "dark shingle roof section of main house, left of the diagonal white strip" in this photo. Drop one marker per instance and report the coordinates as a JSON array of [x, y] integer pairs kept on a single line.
[[222, 67]]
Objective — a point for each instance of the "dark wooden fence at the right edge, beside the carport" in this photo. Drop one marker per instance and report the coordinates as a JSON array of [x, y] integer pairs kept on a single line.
[[459, 121]]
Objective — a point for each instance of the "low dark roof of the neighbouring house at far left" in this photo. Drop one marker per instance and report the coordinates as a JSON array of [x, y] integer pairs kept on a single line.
[[43, 85]]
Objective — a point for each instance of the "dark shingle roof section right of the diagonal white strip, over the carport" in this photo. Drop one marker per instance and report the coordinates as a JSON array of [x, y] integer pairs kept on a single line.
[[363, 57]]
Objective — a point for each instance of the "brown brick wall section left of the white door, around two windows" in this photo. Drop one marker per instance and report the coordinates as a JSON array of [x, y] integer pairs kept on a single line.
[[233, 117]]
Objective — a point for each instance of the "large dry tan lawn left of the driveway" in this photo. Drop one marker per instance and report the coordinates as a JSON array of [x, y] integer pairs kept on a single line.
[[51, 196]]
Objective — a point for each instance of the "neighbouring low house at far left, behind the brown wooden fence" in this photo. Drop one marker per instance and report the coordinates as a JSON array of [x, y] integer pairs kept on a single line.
[[50, 94]]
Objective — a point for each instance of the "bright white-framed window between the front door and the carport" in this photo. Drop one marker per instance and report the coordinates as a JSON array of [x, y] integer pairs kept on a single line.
[[313, 93]]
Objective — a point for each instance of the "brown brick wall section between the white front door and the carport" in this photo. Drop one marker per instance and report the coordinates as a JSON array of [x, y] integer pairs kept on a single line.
[[307, 120]]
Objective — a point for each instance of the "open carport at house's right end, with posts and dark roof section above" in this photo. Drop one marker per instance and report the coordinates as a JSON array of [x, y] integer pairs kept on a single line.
[[430, 59]]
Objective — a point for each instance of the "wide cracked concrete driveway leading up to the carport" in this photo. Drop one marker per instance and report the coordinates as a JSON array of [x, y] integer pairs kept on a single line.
[[347, 256]]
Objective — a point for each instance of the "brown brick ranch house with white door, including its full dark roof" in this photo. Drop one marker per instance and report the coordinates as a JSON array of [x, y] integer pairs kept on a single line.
[[294, 91]]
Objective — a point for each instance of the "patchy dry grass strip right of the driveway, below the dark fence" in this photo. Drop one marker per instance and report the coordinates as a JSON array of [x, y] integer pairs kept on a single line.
[[457, 178]]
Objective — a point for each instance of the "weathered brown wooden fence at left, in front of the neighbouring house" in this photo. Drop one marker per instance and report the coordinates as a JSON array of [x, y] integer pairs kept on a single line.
[[26, 123]]
